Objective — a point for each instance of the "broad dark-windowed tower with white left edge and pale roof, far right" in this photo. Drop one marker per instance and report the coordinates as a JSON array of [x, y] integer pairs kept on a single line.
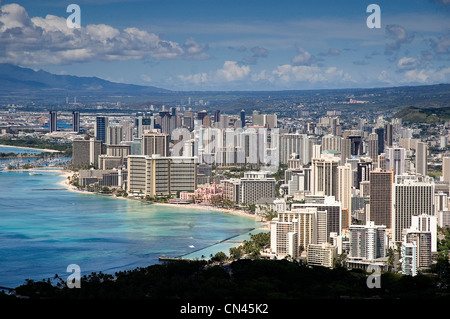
[[412, 195]]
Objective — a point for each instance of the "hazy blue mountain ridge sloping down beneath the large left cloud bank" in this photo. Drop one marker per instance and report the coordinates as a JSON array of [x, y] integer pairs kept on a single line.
[[16, 79]]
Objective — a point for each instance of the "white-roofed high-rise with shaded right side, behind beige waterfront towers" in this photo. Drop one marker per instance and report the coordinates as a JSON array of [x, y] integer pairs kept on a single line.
[[329, 215]]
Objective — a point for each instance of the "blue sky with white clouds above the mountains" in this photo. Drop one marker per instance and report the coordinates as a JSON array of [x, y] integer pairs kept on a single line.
[[206, 45]]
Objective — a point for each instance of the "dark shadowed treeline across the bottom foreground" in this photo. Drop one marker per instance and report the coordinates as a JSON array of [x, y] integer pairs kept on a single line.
[[241, 279]]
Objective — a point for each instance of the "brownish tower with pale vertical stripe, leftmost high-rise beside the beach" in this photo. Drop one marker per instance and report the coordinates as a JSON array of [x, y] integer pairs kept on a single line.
[[86, 152]]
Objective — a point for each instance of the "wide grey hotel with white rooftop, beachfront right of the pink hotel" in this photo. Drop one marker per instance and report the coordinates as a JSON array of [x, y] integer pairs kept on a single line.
[[256, 185]]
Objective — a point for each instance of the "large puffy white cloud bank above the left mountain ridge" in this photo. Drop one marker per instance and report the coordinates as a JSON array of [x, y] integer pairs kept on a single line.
[[33, 41]]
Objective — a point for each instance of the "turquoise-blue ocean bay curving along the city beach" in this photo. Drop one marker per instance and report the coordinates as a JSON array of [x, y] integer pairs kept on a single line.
[[44, 228]]
